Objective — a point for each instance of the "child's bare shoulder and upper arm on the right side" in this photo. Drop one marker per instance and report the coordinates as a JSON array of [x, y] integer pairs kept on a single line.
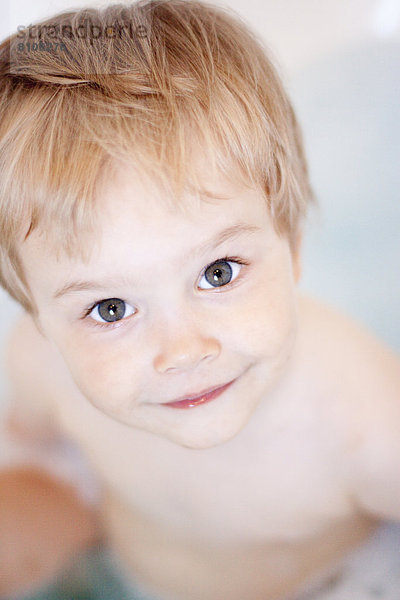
[[360, 377]]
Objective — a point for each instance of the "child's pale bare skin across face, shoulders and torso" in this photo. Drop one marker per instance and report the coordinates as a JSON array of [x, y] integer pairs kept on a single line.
[[257, 492]]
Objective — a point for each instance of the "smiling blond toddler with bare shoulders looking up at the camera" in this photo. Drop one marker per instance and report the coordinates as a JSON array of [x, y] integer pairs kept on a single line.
[[244, 436]]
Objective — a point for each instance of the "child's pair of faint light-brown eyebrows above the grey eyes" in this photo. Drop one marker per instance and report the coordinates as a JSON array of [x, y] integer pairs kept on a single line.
[[222, 236]]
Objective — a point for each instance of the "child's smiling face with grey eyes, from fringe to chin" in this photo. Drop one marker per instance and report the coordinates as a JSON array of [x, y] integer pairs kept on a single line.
[[186, 327]]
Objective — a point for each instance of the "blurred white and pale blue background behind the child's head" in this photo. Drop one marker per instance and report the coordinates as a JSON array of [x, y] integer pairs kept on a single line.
[[340, 61]]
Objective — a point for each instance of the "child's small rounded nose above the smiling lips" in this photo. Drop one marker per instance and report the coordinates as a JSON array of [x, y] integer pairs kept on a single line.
[[185, 350]]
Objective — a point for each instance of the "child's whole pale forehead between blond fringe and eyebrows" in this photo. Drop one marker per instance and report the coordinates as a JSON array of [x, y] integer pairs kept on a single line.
[[134, 214]]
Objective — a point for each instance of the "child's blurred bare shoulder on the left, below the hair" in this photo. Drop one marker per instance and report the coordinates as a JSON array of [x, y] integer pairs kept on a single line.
[[31, 368]]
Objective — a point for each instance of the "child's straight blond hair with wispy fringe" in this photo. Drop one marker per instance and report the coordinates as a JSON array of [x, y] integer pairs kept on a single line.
[[164, 77]]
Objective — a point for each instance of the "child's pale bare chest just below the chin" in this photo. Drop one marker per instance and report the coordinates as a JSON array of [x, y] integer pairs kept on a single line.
[[284, 482]]
